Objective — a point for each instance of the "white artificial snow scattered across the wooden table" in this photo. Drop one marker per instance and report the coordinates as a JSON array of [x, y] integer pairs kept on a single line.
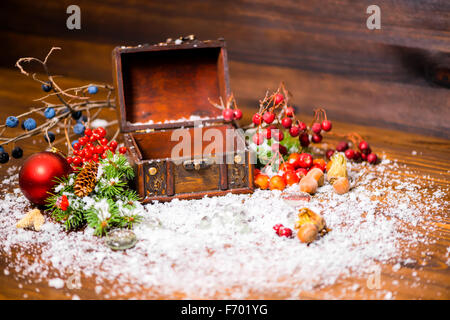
[[201, 248]]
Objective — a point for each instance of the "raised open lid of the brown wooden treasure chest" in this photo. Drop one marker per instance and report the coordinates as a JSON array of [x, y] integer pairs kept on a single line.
[[168, 85]]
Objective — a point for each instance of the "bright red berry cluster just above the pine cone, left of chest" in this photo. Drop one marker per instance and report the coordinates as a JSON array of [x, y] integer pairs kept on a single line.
[[92, 146]]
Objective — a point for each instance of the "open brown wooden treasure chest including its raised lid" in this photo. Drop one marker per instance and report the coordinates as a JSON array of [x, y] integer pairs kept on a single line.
[[178, 142]]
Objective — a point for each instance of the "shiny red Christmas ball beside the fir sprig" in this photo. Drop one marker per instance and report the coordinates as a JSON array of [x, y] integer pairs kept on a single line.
[[38, 173]]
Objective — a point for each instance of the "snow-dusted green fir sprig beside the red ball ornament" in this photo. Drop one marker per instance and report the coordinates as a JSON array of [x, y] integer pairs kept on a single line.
[[110, 205]]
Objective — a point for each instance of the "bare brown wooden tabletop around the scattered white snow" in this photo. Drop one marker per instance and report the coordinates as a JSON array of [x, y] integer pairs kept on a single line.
[[432, 276]]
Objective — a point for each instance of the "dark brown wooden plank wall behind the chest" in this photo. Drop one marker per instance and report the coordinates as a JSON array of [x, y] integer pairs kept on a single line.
[[396, 77]]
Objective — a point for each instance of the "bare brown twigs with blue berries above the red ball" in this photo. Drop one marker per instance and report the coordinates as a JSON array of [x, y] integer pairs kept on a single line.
[[72, 112]]
